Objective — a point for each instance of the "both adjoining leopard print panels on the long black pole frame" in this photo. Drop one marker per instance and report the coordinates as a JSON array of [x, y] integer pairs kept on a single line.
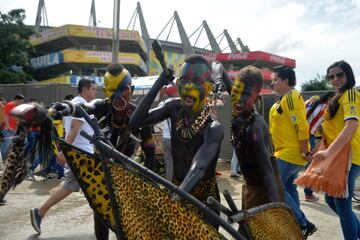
[[146, 211]]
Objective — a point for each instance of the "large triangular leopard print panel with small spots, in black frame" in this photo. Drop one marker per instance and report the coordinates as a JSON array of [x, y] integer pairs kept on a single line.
[[147, 212]]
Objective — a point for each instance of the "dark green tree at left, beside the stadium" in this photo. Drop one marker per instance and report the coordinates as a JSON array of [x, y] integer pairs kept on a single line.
[[14, 47]]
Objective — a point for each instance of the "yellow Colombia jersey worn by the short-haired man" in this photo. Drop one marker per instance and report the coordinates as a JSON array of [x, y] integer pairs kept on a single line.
[[288, 125]]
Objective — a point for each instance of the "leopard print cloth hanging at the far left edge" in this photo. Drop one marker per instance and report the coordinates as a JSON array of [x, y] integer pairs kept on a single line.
[[15, 164]]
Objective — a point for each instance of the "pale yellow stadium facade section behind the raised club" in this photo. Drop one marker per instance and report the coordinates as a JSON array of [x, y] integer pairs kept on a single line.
[[175, 59]]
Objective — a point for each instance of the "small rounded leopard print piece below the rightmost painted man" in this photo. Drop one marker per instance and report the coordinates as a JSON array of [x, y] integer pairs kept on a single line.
[[274, 224]]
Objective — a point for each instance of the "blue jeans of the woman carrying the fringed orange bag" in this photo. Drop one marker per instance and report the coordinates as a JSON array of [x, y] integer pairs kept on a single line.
[[343, 207]]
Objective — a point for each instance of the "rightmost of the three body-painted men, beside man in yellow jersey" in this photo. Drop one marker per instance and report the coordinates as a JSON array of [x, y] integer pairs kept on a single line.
[[251, 139]]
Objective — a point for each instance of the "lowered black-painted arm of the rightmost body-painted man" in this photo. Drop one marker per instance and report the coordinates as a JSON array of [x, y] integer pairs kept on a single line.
[[263, 162]]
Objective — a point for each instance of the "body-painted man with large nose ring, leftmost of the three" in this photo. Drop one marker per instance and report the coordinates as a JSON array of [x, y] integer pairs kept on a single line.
[[117, 111]]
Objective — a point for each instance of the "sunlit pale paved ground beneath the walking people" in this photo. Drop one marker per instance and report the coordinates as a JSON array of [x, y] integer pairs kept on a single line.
[[72, 218]]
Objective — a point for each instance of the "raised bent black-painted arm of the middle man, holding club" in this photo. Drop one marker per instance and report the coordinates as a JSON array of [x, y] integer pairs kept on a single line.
[[141, 116]]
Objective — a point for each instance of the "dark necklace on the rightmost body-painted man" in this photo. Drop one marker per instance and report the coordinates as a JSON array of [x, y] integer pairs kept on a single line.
[[238, 128]]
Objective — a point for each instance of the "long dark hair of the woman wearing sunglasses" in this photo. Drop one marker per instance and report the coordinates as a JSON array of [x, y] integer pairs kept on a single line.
[[350, 83]]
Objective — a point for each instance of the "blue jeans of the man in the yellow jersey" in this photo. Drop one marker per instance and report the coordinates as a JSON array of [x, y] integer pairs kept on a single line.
[[288, 173]]
